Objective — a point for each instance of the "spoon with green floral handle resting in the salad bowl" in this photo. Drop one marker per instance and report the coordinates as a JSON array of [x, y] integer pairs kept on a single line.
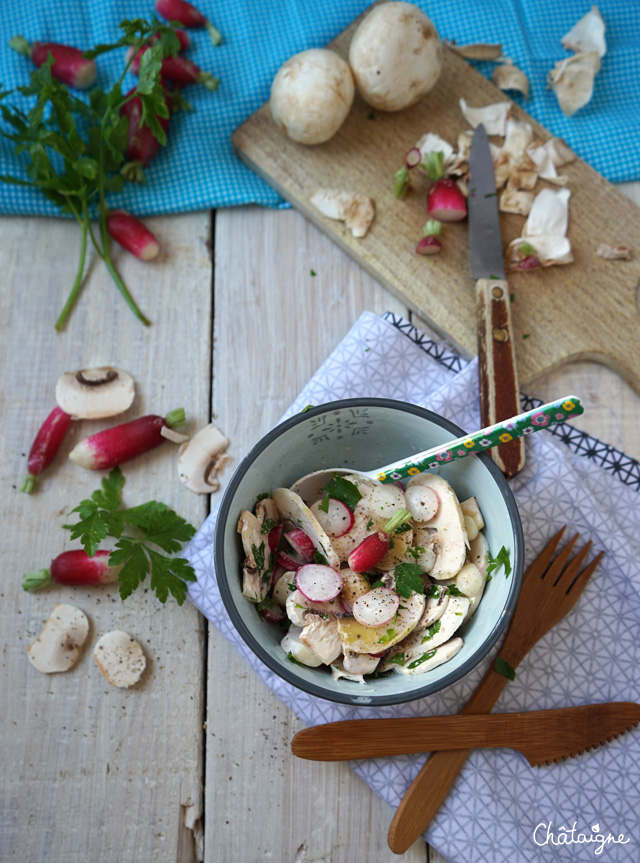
[[310, 486]]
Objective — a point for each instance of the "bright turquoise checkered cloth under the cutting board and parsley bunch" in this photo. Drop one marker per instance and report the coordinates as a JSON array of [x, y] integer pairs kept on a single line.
[[199, 170]]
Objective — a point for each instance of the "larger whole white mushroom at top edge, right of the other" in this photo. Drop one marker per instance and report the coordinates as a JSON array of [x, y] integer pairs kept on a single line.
[[395, 56]]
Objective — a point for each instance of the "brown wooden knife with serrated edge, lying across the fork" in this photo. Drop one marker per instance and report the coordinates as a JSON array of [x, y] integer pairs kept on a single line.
[[542, 736]]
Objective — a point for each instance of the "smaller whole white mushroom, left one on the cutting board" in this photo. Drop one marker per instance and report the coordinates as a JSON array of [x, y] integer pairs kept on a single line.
[[311, 95]]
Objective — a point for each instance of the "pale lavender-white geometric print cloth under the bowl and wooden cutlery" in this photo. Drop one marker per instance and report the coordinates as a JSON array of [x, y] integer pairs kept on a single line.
[[501, 809]]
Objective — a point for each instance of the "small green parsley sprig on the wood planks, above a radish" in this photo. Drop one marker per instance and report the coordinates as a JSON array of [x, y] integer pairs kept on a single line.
[[152, 524]]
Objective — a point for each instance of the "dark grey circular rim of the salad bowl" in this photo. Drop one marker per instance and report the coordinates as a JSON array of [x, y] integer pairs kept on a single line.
[[289, 675]]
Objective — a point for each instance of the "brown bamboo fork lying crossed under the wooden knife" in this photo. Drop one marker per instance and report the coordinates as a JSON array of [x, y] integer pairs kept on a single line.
[[549, 591]]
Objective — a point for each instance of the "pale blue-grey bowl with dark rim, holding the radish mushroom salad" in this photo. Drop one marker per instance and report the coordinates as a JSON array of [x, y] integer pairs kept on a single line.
[[364, 434]]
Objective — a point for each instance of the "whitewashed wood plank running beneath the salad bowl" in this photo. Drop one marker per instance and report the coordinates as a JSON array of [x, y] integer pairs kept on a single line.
[[274, 325]]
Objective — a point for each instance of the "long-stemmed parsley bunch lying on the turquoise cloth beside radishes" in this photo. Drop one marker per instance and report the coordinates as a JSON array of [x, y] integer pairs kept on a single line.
[[75, 148]]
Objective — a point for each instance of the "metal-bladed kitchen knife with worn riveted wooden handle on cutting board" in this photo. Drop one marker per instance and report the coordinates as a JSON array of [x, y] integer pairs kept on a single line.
[[497, 370]]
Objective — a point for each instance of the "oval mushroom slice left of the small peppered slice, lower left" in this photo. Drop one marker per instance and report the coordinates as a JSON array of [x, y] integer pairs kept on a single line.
[[59, 643]]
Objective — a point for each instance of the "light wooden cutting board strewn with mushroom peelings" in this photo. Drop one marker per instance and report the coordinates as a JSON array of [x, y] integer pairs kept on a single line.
[[584, 310]]
